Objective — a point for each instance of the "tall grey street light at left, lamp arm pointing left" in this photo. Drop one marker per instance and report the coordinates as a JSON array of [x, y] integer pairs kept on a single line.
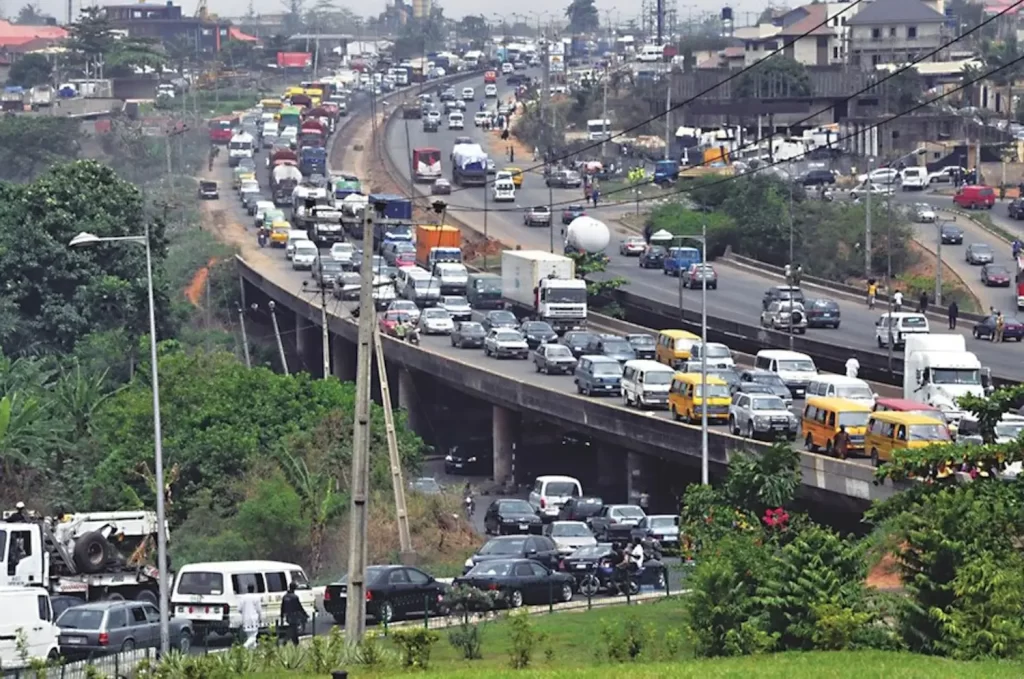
[[165, 625]]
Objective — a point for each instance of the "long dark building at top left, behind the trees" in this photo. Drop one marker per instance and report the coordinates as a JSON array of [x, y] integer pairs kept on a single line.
[[166, 23]]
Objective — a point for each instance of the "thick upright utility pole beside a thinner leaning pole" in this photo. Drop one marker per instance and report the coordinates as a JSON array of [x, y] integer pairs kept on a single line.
[[356, 611]]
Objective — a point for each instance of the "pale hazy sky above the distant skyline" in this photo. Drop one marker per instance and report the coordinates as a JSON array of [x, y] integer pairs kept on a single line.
[[624, 10]]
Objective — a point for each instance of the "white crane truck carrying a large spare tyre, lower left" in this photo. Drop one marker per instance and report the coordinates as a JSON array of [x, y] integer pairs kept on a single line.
[[95, 557]]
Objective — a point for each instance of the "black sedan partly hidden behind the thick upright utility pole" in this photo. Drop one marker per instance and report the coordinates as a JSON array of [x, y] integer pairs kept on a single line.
[[393, 592]]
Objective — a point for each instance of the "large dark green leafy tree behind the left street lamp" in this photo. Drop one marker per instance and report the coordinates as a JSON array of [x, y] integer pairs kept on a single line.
[[65, 293]]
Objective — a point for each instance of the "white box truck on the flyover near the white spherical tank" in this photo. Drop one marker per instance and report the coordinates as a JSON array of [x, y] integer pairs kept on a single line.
[[544, 285]]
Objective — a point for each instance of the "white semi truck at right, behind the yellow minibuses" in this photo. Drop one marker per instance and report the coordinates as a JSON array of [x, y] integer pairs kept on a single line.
[[938, 370]]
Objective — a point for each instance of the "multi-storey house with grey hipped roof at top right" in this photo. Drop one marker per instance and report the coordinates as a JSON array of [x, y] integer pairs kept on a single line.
[[897, 32]]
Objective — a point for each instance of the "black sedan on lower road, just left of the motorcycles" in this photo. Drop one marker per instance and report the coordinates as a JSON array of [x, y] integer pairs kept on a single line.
[[520, 581]]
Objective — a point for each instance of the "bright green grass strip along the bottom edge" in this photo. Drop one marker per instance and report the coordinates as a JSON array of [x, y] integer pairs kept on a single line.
[[820, 665]]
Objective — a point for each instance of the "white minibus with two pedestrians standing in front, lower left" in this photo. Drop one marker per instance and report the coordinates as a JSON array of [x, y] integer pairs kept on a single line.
[[207, 595]]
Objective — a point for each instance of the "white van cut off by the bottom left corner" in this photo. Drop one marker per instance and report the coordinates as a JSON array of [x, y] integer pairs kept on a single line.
[[27, 614]]
